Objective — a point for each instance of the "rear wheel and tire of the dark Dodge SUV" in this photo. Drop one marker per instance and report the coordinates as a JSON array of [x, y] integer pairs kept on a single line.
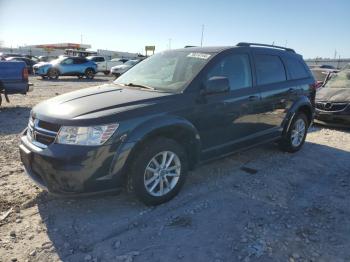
[[294, 137]]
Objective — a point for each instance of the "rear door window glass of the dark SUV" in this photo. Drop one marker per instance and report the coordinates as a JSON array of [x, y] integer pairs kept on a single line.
[[269, 69]]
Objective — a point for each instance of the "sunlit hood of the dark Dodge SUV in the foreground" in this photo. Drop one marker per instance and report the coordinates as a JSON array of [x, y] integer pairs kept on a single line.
[[95, 103]]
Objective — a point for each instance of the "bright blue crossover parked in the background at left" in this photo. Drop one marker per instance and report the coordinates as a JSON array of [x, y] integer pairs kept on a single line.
[[66, 66]]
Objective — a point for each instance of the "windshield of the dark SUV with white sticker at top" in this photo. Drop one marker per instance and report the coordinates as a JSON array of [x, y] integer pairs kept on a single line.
[[168, 71]]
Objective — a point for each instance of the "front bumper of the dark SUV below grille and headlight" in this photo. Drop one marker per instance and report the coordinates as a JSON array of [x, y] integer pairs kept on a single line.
[[69, 170]]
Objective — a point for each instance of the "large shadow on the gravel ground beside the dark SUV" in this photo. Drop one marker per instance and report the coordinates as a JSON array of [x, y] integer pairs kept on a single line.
[[293, 203]]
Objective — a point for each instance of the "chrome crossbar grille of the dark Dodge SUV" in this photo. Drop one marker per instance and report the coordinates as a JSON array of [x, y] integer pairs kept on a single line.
[[41, 133]]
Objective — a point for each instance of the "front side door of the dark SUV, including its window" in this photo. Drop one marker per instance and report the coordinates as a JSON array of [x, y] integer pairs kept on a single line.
[[227, 119]]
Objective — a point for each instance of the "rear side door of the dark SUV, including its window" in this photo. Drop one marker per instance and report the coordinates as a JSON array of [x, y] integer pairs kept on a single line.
[[276, 94]]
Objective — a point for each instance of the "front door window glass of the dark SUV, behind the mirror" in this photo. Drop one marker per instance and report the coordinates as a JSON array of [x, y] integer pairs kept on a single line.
[[236, 68]]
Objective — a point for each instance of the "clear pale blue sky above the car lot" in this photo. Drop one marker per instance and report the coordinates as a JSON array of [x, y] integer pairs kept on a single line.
[[314, 28]]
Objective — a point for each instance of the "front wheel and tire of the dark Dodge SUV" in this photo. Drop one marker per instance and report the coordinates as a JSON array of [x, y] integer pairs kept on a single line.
[[170, 179]]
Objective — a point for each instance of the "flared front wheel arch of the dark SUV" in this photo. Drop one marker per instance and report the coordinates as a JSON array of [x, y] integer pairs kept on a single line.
[[145, 130]]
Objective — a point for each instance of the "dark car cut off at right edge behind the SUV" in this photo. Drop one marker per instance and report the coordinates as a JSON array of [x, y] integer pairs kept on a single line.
[[333, 100]]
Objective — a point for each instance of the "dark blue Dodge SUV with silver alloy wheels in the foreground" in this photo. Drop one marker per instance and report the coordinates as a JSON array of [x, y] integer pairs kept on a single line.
[[166, 115]]
